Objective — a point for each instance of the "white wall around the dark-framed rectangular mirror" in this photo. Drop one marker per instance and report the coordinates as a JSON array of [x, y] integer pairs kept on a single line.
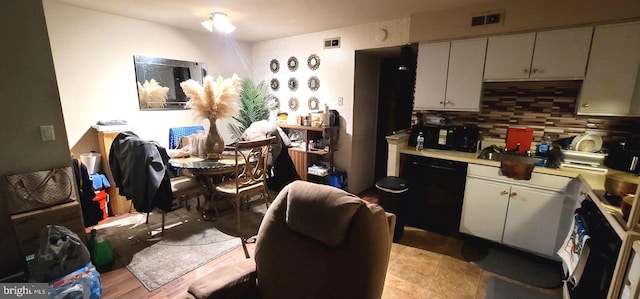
[[93, 57]]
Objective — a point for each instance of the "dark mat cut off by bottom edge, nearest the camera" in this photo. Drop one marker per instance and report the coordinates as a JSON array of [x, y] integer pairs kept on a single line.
[[501, 289]]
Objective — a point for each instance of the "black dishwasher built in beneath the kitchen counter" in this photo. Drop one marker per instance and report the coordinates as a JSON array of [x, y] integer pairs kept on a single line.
[[436, 191]]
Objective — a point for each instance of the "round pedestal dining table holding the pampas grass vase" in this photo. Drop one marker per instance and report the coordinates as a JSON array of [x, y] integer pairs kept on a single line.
[[209, 172]]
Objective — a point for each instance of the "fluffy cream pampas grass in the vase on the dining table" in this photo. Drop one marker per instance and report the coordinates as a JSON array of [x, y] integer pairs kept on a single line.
[[214, 98]]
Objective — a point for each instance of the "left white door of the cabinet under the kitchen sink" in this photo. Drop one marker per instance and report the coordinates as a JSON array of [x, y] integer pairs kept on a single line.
[[484, 208]]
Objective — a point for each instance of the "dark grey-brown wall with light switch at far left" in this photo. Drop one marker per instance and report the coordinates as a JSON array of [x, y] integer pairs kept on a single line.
[[30, 98]]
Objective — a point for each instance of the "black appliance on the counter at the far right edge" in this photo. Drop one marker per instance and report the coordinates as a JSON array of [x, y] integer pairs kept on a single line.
[[624, 156]]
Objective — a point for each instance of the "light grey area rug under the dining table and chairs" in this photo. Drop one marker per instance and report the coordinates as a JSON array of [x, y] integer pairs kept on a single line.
[[187, 243]]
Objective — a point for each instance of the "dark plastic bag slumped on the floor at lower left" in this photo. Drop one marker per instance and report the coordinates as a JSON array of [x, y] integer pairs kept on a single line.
[[60, 252]]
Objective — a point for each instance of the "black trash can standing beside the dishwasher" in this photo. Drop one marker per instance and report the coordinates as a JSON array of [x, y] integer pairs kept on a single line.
[[391, 193]]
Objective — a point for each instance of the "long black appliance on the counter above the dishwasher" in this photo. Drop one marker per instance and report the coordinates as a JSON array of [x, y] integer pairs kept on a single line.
[[447, 137]]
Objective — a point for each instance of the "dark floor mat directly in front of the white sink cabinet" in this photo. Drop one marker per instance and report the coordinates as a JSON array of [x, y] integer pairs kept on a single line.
[[515, 264]]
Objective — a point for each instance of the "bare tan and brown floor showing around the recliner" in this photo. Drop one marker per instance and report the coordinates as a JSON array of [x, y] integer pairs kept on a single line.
[[422, 265]]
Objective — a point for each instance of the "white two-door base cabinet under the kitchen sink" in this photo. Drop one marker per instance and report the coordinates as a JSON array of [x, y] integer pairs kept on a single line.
[[511, 212]]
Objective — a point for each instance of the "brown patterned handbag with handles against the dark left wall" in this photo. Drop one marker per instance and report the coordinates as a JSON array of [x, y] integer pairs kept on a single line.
[[40, 189]]
